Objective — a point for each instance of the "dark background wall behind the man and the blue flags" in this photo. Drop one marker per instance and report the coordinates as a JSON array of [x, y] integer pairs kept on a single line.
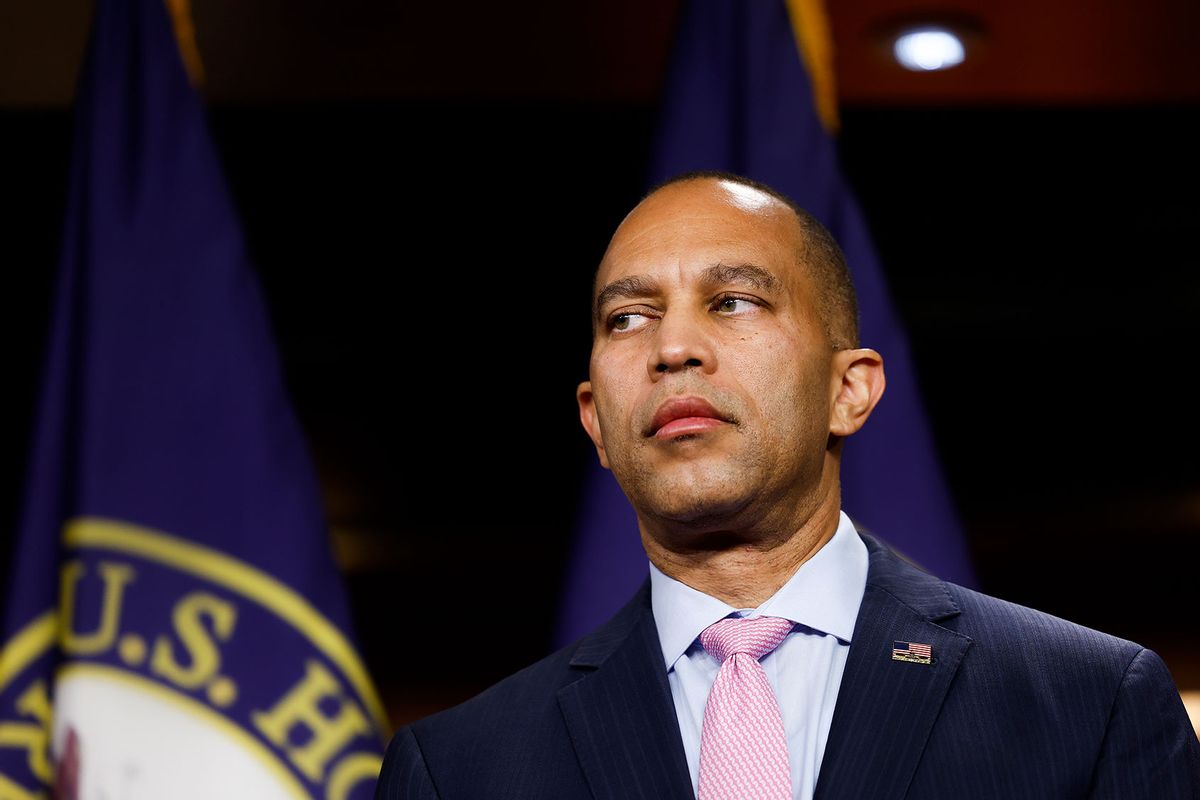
[[427, 251]]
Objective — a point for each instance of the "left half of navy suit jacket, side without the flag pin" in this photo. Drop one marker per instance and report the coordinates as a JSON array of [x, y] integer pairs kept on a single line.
[[593, 720]]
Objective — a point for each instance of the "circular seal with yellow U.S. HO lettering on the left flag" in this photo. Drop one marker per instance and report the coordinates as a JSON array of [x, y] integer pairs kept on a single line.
[[177, 671]]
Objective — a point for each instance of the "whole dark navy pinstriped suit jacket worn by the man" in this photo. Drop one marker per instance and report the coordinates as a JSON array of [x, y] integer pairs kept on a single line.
[[1016, 705]]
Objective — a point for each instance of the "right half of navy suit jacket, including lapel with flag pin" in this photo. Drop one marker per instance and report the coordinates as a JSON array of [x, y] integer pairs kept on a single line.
[[1013, 702]]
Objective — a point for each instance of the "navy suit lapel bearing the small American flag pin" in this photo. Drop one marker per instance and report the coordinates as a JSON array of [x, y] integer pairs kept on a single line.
[[886, 708]]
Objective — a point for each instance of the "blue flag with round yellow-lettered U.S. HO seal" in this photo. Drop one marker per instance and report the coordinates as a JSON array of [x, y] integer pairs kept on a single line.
[[176, 625]]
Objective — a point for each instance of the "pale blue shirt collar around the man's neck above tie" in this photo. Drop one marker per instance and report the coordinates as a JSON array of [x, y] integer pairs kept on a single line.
[[825, 596]]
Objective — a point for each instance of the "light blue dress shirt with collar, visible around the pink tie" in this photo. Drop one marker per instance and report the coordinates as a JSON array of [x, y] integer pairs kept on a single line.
[[806, 671]]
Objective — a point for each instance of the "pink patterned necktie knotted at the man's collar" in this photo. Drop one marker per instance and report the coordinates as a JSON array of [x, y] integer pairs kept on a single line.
[[743, 749]]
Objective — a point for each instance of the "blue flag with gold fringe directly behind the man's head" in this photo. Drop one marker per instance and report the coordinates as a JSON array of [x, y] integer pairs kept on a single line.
[[740, 98]]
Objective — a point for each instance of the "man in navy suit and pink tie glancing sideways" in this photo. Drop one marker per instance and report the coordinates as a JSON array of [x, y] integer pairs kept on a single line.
[[777, 652]]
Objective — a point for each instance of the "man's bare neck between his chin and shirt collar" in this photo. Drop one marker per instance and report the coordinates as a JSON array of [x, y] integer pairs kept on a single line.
[[743, 569]]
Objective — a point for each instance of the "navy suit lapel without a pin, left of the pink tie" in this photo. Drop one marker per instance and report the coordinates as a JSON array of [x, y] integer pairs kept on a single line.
[[621, 715]]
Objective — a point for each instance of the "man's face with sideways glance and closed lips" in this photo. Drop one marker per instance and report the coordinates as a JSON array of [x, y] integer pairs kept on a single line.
[[712, 378]]
